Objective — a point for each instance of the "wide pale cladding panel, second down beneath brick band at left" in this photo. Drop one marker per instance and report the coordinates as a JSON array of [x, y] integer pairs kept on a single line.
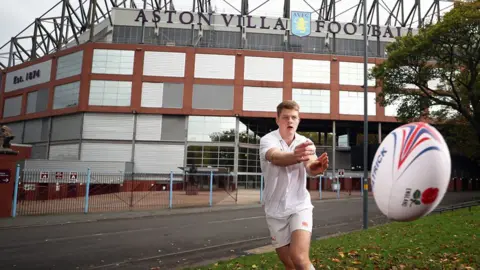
[[106, 151]]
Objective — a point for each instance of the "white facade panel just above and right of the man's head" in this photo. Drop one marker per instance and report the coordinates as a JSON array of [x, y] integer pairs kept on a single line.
[[312, 100]]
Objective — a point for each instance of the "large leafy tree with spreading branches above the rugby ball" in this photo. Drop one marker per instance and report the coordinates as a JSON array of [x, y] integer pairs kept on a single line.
[[448, 53]]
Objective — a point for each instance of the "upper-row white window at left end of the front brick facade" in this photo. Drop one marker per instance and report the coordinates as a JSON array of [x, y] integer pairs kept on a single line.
[[113, 62]]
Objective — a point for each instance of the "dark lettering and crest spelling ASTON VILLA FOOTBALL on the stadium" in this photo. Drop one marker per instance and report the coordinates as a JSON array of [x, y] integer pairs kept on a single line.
[[299, 25]]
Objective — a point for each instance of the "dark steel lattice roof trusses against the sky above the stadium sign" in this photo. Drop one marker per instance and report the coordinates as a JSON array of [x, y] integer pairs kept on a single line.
[[69, 23]]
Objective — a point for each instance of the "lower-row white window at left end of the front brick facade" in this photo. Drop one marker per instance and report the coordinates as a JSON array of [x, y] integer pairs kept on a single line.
[[110, 93]]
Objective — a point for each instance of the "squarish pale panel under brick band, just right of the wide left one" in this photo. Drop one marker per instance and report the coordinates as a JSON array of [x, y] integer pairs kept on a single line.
[[149, 127]]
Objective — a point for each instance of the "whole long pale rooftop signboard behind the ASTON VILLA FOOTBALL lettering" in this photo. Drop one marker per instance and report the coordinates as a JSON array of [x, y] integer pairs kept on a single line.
[[300, 24]]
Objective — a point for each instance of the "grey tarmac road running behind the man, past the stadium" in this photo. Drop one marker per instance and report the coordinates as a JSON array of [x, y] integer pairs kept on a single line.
[[168, 241]]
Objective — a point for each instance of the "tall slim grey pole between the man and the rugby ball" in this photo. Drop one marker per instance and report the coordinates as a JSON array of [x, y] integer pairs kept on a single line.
[[365, 121]]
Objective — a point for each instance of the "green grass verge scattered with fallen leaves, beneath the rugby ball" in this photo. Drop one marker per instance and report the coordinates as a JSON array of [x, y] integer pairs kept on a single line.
[[440, 241]]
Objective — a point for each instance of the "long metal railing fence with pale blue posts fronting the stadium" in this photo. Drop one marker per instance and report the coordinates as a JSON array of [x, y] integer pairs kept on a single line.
[[45, 192]]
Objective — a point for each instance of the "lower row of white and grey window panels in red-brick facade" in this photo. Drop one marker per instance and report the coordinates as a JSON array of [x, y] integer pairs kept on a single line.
[[170, 95]]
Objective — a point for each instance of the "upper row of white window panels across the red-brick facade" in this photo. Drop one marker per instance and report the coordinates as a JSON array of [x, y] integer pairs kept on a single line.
[[172, 64]]
